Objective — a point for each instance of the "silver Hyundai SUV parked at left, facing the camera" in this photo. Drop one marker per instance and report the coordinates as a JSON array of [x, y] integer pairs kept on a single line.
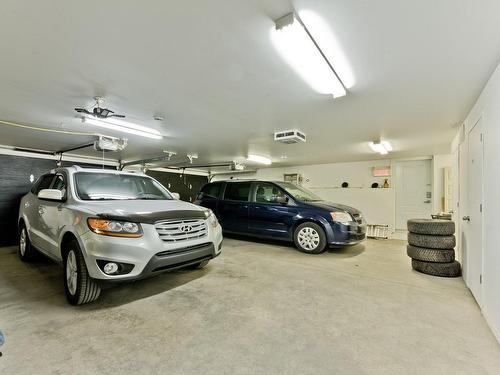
[[106, 226]]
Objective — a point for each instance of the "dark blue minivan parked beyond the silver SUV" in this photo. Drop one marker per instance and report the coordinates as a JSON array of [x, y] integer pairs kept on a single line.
[[282, 210]]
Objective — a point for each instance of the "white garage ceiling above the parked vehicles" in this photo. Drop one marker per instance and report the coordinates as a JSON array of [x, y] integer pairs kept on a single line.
[[210, 69]]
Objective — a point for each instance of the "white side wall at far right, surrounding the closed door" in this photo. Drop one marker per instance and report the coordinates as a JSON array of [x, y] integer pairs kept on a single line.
[[487, 107]]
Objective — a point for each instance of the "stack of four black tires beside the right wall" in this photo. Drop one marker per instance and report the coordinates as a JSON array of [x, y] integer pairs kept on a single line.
[[431, 246]]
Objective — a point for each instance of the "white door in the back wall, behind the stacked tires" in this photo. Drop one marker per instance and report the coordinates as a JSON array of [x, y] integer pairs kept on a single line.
[[413, 191]]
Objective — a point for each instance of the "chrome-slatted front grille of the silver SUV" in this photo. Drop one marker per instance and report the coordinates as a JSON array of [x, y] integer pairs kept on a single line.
[[181, 230]]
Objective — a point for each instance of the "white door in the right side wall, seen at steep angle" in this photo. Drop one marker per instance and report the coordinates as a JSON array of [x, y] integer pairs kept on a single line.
[[473, 225]]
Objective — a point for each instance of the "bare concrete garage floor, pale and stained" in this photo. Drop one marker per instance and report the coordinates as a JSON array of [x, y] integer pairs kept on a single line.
[[260, 308]]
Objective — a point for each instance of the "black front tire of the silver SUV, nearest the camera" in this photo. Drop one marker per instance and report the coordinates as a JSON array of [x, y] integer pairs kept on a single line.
[[86, 289]]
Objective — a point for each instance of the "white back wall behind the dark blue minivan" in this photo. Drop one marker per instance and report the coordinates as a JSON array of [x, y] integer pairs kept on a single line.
[[378, 205]]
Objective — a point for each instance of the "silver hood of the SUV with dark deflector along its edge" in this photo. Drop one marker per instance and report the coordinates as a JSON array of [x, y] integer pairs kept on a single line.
[[145, 211]]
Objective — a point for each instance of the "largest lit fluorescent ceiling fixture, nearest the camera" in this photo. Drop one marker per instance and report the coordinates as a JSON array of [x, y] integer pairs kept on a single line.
[[296, 45]]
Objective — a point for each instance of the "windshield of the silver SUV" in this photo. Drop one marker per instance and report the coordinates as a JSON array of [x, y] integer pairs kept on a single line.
[[109, 186]]
